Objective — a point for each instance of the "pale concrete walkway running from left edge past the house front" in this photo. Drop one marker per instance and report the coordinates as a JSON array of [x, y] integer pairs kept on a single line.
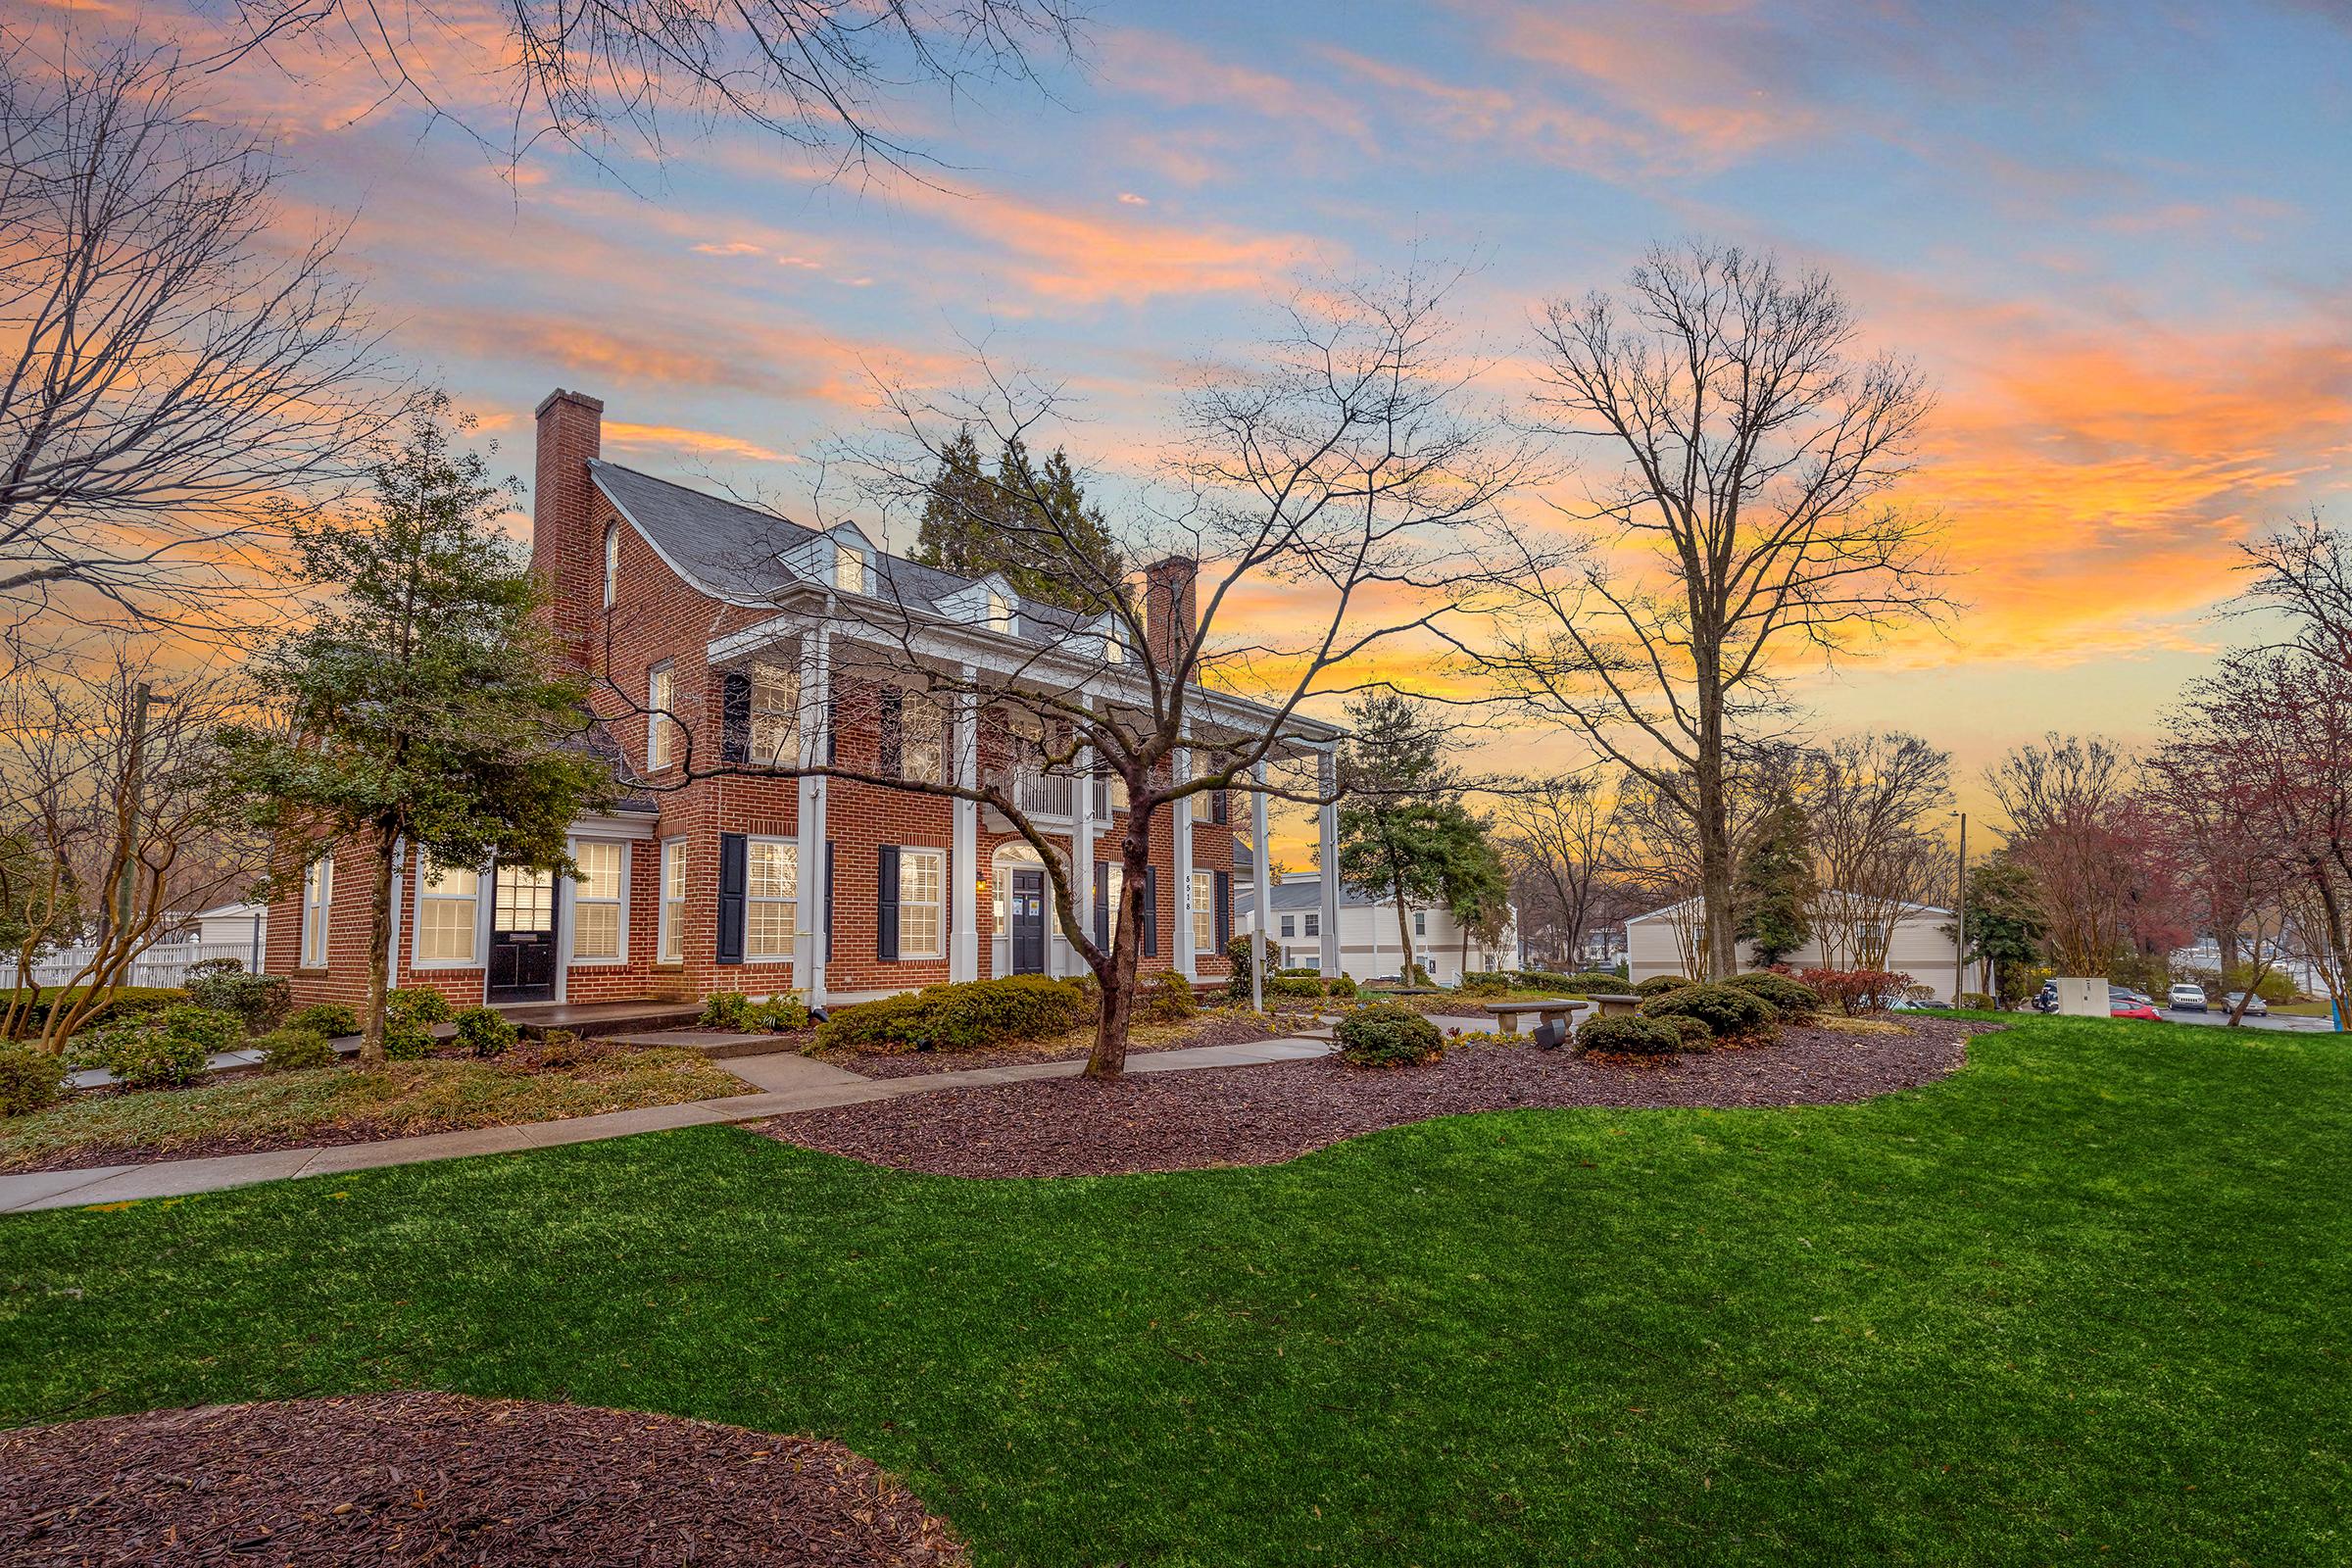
[[787, 1083]]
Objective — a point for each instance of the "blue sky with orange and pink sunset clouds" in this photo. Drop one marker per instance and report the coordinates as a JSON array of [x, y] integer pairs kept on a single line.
[[2113, 236]]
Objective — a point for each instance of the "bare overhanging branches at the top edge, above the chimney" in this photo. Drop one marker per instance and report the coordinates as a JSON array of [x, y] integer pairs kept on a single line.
[[815, 74]]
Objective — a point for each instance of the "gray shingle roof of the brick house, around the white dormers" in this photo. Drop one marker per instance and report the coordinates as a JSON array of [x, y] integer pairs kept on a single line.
[[730, 549]]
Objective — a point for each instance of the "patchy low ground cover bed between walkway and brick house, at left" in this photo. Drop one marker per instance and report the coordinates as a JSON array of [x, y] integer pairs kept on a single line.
[[340, 1106]]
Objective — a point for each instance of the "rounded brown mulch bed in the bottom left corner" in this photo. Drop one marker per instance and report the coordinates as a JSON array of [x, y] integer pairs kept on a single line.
[[448, 1480]]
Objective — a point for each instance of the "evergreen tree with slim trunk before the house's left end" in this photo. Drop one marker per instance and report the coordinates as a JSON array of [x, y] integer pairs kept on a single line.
[[427, 706]]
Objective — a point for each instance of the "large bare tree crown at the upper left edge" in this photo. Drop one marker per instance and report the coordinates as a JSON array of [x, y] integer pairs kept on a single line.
[[173, 382]]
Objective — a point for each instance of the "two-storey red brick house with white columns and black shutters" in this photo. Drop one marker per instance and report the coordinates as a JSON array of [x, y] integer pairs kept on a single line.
[[728, 636]]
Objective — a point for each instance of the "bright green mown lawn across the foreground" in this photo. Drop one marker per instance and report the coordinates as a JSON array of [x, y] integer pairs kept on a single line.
[[2087, 1301]]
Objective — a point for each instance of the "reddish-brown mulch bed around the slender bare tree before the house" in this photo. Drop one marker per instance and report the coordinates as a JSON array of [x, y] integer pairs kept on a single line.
[[1267, 1115]]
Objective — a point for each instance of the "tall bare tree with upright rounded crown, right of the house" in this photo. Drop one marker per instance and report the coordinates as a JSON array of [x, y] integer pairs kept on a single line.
[[1753, 467]]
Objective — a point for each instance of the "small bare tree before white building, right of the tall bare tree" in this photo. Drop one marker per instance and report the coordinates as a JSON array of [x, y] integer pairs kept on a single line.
[[1873, 805]]
